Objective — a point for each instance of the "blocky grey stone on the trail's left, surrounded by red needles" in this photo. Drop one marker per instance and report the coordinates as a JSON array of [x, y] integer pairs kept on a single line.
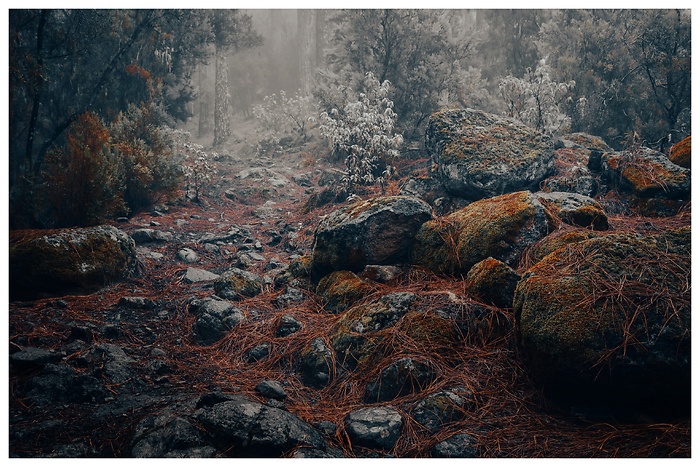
[[214, 318]]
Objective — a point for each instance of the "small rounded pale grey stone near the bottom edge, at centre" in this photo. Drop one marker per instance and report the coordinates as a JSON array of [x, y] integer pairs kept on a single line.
[[374, 427]]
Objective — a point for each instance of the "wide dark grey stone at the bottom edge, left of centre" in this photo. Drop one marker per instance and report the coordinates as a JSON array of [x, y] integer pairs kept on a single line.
[[244, 428]]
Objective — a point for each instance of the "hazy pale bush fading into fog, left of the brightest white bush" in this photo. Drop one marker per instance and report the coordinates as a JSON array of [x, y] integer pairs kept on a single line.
[[282, 121]]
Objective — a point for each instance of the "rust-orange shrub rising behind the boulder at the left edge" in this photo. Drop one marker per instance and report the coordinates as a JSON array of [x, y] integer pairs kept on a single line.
[[84, 181]]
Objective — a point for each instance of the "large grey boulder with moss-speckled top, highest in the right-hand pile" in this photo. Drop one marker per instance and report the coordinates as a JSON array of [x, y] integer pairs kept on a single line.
[[478, 155]]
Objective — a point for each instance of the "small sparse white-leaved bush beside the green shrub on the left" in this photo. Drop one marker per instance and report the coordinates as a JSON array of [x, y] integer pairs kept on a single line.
[[197, 169]]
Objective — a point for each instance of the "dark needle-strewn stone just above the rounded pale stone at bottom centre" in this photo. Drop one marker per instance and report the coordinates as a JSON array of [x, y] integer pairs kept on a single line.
[[402, 377]]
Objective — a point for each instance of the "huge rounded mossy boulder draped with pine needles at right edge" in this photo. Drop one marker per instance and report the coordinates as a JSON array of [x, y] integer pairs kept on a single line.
[[607, 320]]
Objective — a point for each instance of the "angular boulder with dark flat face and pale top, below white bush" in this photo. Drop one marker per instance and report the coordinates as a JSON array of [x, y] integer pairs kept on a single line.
[[377, 231]]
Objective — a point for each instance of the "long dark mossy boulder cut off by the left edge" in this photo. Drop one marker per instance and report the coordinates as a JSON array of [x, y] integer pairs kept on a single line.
[[68, 261]]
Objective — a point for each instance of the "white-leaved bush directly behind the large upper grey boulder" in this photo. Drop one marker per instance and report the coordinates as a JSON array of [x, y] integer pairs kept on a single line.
[[535, 99]]
